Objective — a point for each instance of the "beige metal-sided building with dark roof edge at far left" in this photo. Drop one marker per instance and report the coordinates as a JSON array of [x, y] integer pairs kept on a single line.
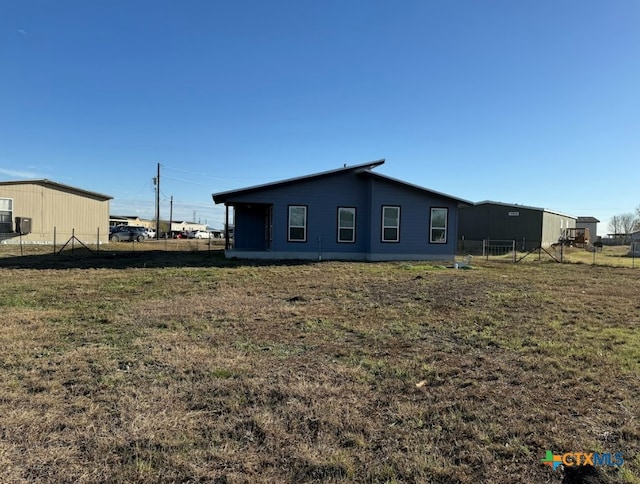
[[43, 211]]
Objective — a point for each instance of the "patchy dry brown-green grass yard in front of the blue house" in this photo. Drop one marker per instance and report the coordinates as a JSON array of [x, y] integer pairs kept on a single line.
[[181, 366]]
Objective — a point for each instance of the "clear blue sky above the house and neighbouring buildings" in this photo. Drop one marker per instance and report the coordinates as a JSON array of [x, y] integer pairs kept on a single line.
[[529, 102]]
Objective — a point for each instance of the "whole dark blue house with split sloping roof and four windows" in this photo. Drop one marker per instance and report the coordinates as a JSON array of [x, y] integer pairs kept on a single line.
[[351, 213]]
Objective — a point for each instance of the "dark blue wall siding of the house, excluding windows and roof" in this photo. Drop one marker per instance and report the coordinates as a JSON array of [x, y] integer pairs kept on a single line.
[[322, 197]]
